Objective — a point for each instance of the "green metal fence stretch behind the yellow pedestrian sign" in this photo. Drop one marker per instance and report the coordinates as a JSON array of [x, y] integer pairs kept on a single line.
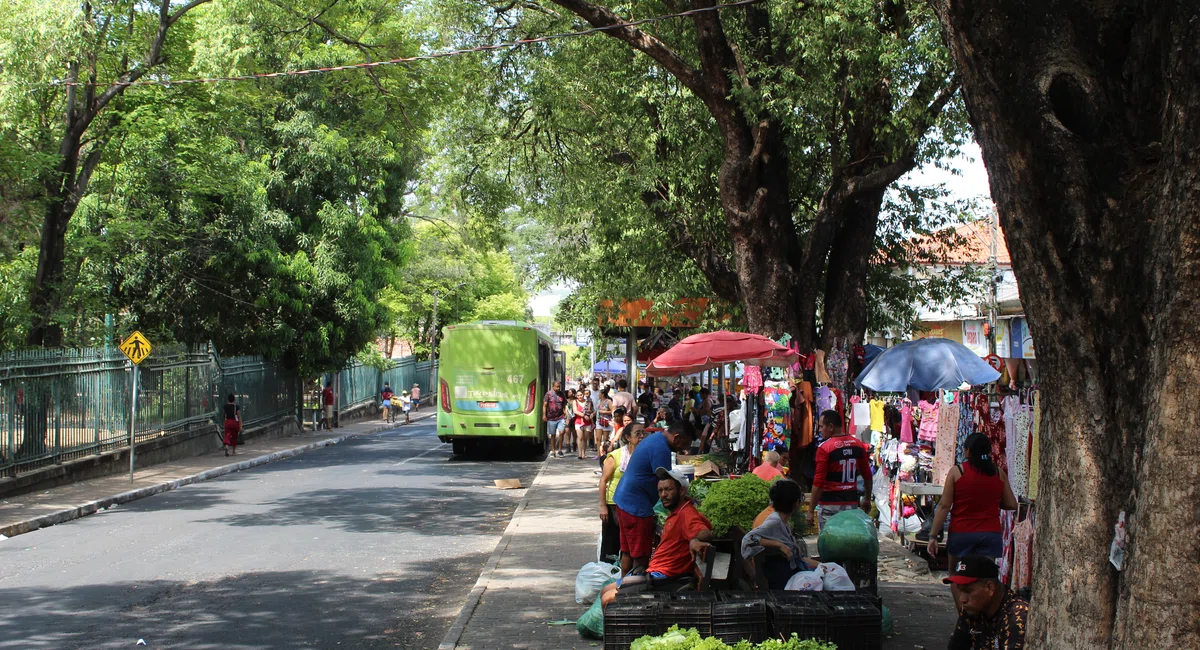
[[57, 406]]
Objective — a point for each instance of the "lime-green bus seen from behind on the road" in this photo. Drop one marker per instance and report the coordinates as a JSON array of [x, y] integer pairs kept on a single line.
[[491, 381]]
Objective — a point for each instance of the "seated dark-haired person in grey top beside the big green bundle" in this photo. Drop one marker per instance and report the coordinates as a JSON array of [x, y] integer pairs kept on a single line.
[[784, 553]]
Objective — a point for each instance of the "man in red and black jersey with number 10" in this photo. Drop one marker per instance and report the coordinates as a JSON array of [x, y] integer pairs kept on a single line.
[[842, 460]]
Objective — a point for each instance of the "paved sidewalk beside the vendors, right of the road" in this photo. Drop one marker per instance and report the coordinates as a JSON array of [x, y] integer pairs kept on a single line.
[[530, 581]]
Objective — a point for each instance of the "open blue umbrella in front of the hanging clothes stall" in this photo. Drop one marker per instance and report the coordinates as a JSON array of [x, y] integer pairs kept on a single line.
[[926, 365]]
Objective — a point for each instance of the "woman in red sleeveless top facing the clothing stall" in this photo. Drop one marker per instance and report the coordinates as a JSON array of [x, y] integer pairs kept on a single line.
[[974, 497]]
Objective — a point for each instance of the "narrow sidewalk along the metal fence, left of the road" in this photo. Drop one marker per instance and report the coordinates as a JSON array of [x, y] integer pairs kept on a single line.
[[28, 513]]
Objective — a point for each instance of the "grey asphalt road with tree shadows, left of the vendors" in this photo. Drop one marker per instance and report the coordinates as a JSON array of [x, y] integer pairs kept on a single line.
[[370, 544]]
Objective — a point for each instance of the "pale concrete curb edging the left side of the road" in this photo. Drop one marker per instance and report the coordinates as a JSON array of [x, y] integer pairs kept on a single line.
[[92, 508]]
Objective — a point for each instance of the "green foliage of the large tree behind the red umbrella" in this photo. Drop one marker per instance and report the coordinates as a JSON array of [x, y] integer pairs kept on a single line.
[[610, 167]]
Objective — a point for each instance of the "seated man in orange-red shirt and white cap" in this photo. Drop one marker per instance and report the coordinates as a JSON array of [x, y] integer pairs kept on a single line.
[[685, 534]]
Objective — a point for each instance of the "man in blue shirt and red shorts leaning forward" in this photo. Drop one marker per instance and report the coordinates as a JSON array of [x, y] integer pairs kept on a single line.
[[639, 491]]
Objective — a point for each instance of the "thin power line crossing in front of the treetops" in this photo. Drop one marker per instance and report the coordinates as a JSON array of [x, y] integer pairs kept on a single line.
[[169, 83]]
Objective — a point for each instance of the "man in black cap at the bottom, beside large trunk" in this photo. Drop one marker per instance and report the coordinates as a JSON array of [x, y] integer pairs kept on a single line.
[[991, 617]]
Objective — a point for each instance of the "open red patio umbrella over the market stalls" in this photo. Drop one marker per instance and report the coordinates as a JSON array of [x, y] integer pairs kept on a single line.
[[699, 353]]
